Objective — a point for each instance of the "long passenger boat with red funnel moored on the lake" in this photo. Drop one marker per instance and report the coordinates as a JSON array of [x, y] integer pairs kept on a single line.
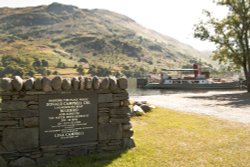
[[200, 80]]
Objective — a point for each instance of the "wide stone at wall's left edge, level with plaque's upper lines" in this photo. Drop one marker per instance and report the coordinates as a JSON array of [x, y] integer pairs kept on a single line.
[[14, 105]]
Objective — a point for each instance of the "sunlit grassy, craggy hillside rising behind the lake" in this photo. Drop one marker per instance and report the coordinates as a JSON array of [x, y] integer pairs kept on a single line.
[[97, 38]]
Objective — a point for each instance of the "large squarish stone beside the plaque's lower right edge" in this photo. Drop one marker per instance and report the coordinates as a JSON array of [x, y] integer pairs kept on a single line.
[[110, 131]]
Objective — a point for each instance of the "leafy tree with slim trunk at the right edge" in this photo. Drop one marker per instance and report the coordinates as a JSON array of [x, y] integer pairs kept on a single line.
[[230, 34]]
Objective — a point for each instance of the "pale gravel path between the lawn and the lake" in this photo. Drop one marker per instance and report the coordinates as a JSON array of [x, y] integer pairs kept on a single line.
[[229, 105]]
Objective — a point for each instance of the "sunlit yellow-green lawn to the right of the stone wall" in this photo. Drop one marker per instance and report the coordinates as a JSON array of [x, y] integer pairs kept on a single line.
[[168, 138]]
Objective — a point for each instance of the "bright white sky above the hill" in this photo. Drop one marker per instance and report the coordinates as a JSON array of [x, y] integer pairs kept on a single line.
[[174, 18]]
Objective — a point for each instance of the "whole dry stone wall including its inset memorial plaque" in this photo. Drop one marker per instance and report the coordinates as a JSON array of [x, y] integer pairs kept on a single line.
[[47, 119]]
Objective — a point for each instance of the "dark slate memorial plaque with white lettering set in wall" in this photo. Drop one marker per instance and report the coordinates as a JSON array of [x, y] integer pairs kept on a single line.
[[68, 118]]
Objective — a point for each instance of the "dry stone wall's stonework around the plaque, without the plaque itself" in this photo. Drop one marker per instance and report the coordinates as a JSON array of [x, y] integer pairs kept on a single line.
[[20, 118]]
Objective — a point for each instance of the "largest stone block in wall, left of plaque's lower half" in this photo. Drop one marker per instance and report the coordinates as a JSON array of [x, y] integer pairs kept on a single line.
[[17, 139]]
